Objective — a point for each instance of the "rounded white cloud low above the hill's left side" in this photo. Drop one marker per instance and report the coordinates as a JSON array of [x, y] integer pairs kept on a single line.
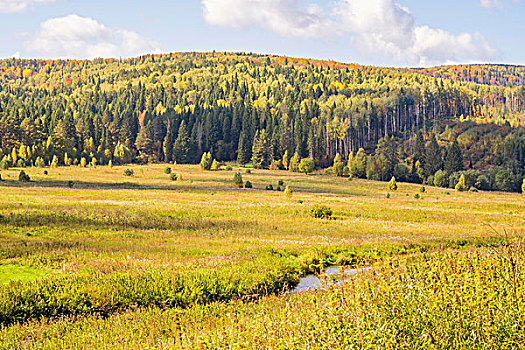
[[80, 37]]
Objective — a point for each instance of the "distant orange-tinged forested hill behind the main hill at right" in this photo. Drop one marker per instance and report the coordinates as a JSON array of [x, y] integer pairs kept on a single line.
[[489, 74]]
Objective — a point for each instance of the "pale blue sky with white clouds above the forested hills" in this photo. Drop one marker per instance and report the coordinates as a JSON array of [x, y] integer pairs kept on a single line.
[[402, 33]]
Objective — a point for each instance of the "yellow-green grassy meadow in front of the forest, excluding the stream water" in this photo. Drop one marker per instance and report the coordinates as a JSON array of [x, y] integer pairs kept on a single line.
[[143, 261]]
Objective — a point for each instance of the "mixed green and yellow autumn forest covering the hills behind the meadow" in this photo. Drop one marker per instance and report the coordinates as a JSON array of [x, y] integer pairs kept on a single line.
[[421, 125]]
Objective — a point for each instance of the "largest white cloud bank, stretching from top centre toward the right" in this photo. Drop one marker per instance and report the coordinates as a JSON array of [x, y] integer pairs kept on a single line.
[[374, 26]]
